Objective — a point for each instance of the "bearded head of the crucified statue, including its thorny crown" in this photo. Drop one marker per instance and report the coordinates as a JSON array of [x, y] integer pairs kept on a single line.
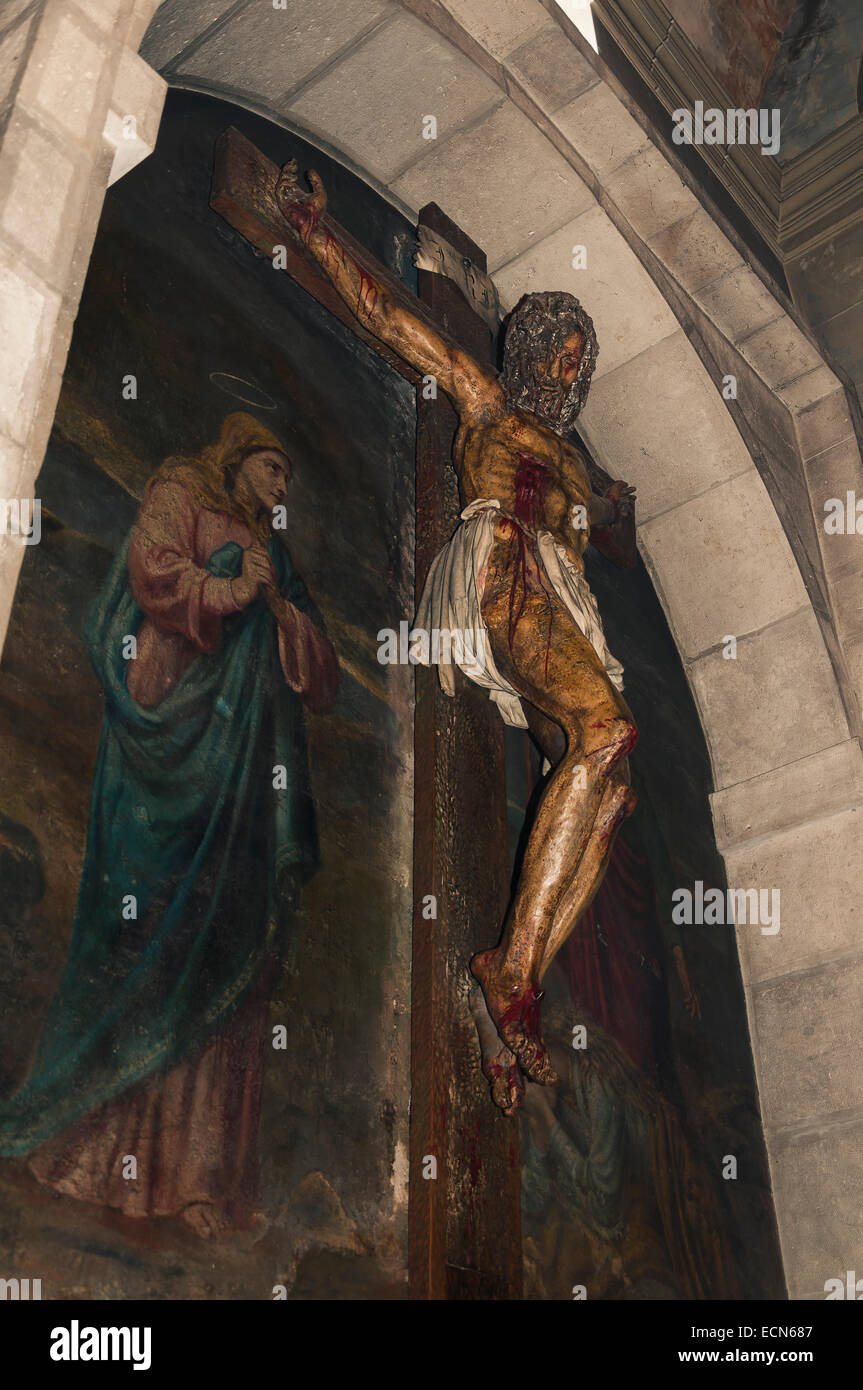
[[550, 355]]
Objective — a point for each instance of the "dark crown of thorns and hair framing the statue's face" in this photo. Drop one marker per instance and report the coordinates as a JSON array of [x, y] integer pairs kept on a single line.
[[537, 327]]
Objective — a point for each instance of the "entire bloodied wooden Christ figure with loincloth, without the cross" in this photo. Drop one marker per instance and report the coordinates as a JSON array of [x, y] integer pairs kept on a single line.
[[513, 575]]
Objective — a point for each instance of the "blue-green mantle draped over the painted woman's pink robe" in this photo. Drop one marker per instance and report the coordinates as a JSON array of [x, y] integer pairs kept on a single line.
[[191, 839]]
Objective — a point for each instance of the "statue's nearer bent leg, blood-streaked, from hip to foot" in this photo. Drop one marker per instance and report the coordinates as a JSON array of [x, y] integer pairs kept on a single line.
[[551, 664]]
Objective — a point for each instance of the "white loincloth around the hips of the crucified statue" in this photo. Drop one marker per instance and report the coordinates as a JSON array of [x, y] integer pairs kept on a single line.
[[452, 597]]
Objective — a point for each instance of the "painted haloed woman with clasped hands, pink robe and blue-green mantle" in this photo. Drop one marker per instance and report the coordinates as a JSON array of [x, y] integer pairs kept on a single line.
[[202, 831]]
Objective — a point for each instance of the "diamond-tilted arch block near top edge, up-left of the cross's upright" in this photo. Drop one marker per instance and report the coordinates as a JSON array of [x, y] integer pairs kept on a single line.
[[376, 102]]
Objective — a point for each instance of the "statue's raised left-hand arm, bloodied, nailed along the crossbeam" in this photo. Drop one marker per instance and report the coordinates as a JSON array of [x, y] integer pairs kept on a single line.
[[473, 390]]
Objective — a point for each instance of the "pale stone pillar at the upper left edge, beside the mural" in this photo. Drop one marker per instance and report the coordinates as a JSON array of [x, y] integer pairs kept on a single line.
[[80, 108]]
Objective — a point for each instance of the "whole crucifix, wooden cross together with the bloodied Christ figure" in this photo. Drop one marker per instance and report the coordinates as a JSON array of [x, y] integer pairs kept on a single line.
[[513, 575]]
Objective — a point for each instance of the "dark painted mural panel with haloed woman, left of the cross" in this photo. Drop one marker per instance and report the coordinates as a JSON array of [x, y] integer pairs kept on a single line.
[[206, 826]]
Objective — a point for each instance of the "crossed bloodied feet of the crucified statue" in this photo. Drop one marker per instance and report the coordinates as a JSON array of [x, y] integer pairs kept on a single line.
[[508, 1021]]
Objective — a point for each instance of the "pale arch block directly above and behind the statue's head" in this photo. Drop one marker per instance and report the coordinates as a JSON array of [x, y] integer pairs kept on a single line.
[[627, 311]]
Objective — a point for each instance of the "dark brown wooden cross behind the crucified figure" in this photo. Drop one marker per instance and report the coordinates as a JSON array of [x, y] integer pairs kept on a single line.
[[465, 1229]]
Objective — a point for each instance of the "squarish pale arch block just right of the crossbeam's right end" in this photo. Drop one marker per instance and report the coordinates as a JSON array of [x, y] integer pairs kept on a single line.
[[732, 539]]
